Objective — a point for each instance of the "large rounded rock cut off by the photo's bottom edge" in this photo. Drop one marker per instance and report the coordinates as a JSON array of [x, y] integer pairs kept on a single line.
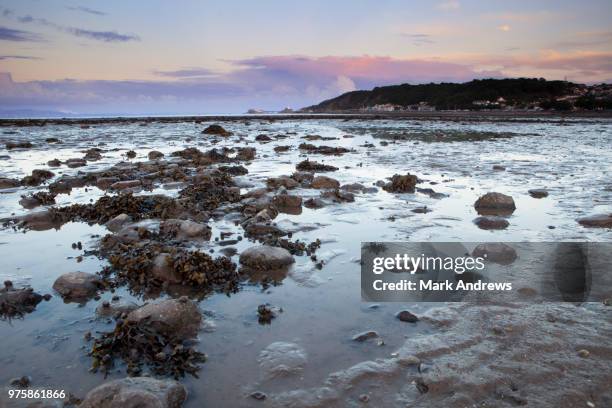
[[136, 392]]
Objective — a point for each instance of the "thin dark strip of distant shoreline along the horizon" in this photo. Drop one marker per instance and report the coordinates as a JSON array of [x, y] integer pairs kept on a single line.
[[503, 116]]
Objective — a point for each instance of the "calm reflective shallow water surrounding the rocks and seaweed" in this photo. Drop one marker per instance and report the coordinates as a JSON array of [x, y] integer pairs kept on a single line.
[[322, 308]]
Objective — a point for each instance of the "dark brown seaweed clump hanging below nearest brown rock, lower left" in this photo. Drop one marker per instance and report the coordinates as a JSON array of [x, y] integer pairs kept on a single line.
[[137, 343]]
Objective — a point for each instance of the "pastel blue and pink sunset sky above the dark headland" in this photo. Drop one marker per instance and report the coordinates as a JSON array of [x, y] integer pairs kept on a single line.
[[205, 57]]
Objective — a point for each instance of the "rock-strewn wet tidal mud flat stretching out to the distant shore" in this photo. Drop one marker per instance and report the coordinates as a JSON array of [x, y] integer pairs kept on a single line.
[[220, 257]]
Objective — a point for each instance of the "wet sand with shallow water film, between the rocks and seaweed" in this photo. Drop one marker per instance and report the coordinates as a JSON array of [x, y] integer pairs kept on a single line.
[[502, 354]]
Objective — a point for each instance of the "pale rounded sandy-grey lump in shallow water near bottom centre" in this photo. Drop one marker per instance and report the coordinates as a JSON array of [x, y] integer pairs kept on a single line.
[[281, 358]]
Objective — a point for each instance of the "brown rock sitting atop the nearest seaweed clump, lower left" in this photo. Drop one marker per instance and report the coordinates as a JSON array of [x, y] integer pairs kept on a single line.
[[172, 317]]
